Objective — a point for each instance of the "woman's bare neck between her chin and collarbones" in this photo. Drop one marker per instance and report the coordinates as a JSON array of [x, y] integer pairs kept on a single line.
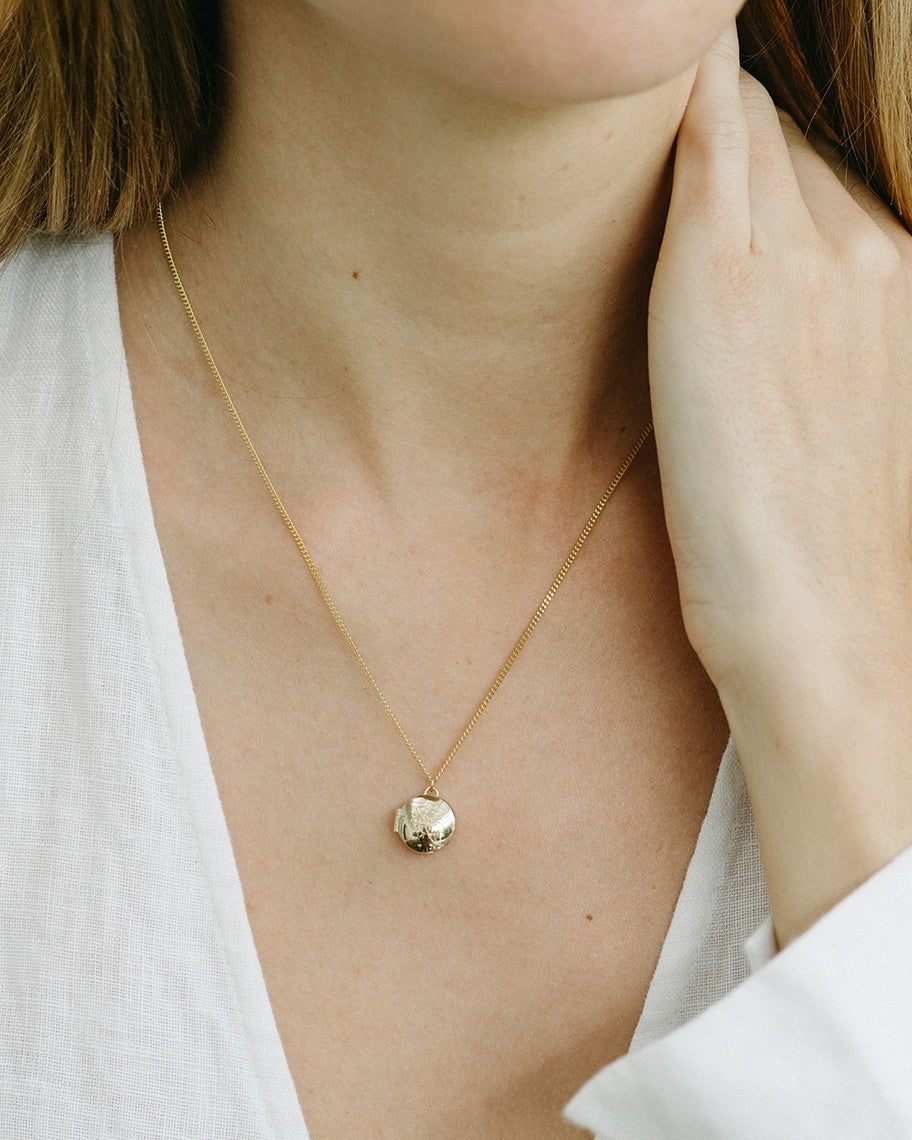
[[441, 273]]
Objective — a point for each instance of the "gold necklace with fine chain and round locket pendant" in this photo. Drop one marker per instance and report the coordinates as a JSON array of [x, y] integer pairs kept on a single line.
[[426, 823]]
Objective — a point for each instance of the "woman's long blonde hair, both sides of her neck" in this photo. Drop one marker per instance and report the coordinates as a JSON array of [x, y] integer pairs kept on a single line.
[[107, 104]]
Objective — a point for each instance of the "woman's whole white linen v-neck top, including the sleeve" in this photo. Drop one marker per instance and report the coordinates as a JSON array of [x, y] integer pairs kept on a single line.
[[132, 999]]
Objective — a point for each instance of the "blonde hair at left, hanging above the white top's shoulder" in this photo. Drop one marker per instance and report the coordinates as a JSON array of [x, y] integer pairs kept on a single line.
[[104, 104]]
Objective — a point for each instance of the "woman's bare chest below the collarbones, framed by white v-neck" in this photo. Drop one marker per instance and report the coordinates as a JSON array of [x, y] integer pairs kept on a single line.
[[469, 991]]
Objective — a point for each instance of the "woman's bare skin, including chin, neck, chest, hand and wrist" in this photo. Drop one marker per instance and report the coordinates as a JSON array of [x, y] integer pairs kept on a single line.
[[442, 260]]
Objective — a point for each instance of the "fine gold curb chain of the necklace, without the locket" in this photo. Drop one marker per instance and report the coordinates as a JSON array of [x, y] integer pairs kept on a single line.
[[527, 633]]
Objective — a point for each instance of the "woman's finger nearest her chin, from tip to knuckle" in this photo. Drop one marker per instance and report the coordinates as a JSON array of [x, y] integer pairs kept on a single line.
[[713, 154]]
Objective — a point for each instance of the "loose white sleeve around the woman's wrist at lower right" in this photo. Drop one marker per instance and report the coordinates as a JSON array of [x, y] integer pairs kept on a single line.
[[817, 1045]]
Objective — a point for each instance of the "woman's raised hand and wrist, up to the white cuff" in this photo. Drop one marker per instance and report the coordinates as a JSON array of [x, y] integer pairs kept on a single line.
[[781, 376]]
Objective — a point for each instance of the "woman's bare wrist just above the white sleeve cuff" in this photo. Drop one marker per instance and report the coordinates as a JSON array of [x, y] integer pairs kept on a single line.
[[825, 731]]
